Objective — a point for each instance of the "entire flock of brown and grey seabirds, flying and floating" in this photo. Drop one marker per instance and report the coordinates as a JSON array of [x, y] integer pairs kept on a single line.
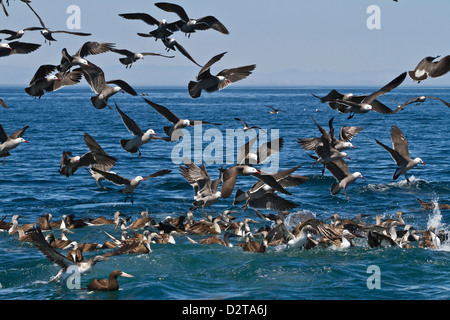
[[138, 235]]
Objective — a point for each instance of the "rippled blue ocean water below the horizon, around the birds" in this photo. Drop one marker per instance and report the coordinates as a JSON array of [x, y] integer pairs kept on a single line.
[[30, 185]]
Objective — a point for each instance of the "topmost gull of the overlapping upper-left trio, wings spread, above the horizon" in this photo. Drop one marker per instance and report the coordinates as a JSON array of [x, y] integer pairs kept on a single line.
[[88, 48]]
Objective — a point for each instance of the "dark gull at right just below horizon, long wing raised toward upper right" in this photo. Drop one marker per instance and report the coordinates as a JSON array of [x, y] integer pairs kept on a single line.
[[368, 102]]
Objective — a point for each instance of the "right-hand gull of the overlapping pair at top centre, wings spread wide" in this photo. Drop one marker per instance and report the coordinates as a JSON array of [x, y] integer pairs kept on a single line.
[[188, 25]]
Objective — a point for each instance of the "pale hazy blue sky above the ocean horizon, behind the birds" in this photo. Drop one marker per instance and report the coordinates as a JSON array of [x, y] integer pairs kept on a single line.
[[326, 37]]
